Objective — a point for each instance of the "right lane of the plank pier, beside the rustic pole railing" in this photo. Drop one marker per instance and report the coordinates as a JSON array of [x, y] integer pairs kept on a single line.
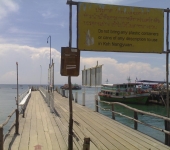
[[104, 132]]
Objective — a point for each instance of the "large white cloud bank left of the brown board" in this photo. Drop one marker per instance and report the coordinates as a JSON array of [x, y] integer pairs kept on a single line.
[[29, 60]]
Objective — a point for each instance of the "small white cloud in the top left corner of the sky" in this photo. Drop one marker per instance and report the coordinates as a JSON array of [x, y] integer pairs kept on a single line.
[[6, 7]]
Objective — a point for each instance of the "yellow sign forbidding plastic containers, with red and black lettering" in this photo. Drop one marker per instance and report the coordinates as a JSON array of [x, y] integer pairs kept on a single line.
[[120, 28]]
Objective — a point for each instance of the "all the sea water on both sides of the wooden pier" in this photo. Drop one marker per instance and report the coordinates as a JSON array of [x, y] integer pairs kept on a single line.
[[9, 92]]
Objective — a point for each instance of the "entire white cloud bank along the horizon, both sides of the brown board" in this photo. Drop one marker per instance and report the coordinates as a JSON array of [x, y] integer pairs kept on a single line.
[[30, 59]]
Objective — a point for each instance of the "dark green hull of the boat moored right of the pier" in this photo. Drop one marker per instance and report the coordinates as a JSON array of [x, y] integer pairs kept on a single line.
[[137, 99]]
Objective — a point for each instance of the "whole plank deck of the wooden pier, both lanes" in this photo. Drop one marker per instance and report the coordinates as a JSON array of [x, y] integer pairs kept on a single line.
[[49, 131]]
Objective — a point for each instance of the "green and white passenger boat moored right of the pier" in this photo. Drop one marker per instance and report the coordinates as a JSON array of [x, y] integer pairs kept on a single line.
[[124, 93]]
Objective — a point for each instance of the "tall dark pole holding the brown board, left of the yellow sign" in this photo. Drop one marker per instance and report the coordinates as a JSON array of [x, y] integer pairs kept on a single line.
[[70, 137]]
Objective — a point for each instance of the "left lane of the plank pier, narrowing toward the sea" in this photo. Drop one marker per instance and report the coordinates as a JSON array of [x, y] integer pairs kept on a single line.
[[38, 130]]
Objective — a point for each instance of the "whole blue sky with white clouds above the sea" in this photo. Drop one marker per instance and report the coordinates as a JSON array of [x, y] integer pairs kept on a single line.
[[26, 25]]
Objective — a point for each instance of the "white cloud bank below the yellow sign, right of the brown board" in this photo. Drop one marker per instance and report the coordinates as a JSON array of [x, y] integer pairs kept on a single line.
[[117, 72]]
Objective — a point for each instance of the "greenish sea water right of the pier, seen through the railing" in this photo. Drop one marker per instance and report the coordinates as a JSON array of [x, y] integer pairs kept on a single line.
[[153, 108]]
